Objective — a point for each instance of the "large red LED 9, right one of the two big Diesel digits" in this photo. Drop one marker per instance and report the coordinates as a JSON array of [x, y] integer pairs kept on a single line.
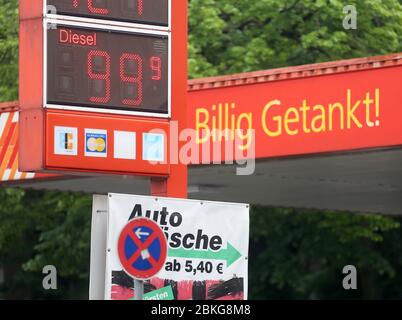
[[130, 79]]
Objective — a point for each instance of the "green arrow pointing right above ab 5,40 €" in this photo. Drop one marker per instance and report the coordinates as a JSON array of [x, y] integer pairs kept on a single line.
[[230, 254]]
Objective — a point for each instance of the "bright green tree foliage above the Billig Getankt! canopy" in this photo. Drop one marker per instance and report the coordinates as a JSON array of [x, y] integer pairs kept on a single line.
[[229, 36]]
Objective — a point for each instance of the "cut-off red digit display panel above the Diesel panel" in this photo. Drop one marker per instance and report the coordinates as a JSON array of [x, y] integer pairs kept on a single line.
[[155, 12]]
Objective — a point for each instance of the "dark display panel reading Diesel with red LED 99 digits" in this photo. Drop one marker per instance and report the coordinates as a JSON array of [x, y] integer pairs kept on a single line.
[[111, 70]]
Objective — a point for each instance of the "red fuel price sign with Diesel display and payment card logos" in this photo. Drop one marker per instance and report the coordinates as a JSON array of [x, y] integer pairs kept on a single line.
[[97, 89]]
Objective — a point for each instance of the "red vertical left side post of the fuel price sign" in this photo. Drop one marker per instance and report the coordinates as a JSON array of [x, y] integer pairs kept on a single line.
[[31, 135]]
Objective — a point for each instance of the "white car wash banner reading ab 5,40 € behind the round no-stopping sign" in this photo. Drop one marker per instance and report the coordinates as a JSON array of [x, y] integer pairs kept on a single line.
[[207, 254]]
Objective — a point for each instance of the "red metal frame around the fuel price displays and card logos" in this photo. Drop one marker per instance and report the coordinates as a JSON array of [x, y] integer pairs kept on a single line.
[[35, 133]]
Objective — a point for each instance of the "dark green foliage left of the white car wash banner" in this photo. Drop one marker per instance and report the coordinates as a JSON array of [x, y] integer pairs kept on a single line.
[[44, 228]]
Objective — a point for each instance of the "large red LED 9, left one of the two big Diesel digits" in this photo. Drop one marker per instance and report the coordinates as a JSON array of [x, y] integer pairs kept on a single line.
[[100, 76]]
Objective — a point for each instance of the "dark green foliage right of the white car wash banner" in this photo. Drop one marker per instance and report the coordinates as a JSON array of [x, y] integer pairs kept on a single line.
[[301, 254]]
